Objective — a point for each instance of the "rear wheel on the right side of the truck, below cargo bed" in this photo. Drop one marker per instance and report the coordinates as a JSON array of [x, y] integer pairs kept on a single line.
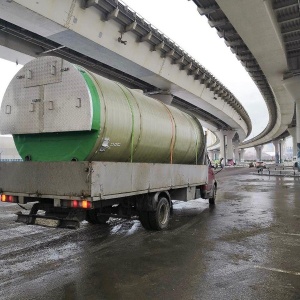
[[159, 219]]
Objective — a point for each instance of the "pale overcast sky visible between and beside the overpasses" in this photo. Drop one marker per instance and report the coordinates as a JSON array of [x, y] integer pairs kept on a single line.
[[181, 22]]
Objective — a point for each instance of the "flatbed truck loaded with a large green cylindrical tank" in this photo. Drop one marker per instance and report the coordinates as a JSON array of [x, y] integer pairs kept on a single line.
[[94, 149]]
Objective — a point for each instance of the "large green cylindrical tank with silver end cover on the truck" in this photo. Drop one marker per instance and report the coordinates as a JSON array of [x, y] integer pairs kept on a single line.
[[57, 111]]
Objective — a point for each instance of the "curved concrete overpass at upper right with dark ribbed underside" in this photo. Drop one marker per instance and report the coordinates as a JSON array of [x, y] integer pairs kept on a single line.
[[265, 36]]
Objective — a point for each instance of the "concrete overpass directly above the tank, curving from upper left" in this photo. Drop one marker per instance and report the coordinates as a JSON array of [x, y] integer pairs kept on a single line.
[[109, 38]]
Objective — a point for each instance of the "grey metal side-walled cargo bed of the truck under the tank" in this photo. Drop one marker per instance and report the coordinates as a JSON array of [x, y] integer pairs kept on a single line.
[[96, 180]]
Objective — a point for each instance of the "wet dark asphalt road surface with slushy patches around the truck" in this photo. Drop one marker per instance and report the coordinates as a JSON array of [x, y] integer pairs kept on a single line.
[[246, 247]]
